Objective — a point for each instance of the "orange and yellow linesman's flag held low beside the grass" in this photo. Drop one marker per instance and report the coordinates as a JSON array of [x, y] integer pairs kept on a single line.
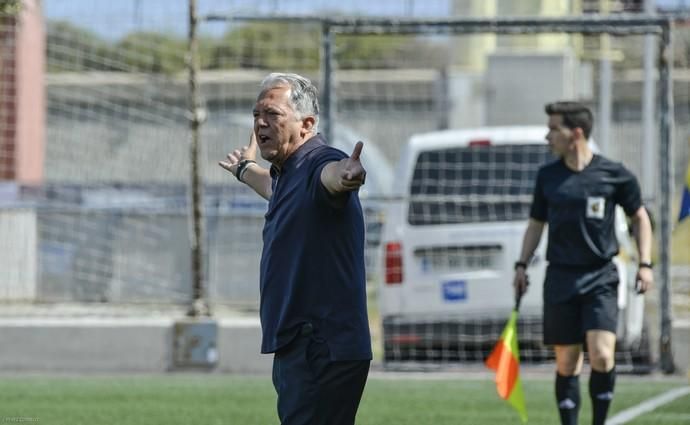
[[505, 360]]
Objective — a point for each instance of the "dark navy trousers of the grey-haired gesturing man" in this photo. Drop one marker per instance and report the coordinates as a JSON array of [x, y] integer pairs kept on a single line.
[[314, 390]]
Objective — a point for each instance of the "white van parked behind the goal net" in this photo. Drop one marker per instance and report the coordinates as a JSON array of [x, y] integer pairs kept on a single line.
[[450, 240]]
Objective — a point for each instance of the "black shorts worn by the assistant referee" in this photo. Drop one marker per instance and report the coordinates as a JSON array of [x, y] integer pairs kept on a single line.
[[577, 301]]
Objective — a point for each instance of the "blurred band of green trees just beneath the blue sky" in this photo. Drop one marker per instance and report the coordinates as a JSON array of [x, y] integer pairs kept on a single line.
[[260, 45]]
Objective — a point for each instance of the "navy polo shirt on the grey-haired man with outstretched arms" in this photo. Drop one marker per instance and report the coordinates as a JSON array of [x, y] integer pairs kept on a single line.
[[312, 264]]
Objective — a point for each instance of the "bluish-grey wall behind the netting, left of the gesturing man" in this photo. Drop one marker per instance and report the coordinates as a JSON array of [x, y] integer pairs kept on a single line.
[[131, 257]]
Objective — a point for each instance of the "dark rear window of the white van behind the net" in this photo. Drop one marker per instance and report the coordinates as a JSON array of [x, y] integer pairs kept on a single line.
[[475, 184]]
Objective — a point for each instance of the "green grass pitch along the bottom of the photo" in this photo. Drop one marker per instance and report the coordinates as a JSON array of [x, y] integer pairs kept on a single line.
[[192, 399]]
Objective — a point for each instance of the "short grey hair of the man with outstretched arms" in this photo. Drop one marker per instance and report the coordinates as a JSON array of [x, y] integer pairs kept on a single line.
[[304, 97]]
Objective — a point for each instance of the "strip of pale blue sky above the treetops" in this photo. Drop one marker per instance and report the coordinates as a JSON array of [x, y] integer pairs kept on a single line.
[[114, 18]]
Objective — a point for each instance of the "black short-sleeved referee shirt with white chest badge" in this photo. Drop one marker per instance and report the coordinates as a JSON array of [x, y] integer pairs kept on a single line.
[[579, 207]]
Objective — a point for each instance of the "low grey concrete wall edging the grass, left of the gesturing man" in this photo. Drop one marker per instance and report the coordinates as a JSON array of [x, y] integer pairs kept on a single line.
[[104, 345]]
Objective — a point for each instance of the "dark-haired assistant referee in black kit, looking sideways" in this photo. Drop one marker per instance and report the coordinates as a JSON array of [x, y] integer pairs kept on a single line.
[[577, 196]]
